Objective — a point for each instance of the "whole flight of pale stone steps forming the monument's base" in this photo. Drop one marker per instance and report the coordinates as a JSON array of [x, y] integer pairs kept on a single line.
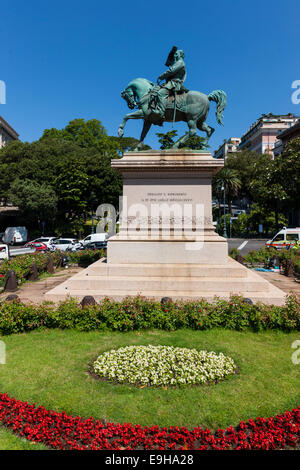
[[178, 281]]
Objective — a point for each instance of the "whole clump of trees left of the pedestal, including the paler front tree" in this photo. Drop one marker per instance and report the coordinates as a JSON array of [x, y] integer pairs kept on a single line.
[[54, 178]]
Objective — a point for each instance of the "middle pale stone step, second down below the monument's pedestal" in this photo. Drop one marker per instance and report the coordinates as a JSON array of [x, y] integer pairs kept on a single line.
[[155, 283]]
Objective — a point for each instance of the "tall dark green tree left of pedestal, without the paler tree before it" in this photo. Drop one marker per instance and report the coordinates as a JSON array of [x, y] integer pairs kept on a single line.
[[73, 171]]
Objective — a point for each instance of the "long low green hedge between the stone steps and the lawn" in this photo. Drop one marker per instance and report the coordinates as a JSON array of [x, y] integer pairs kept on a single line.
[[139, 313]]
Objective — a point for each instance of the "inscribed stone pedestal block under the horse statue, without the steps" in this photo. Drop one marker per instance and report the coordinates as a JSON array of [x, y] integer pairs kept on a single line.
[[167, 211]]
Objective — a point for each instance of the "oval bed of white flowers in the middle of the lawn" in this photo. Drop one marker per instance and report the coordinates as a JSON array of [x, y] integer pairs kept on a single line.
[[162, 365]]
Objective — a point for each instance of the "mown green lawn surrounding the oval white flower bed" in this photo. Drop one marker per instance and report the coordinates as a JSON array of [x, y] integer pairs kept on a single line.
[[50, 369]]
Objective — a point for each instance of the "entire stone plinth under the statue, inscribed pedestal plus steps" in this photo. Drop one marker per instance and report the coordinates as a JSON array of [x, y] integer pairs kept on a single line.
[[167, 244]]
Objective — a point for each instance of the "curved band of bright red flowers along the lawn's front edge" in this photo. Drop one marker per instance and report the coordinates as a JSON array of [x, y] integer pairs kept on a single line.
[[60, 431]]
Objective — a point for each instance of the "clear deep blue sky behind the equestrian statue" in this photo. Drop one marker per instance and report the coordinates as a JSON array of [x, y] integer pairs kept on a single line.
[[71, 59]]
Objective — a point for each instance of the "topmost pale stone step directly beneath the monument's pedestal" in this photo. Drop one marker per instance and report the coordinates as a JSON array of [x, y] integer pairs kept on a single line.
[[167, 270]]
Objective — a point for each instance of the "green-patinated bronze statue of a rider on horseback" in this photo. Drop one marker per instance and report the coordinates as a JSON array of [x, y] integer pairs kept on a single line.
[[171, 101]]
